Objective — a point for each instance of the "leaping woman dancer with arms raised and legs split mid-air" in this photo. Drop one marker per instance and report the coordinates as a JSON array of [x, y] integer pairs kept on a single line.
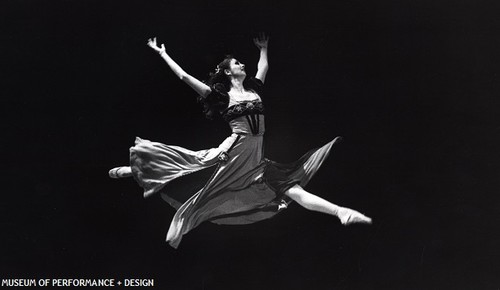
[[245, 187]]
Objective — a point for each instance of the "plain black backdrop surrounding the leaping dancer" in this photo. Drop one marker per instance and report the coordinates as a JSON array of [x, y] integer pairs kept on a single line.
[[411, 85]]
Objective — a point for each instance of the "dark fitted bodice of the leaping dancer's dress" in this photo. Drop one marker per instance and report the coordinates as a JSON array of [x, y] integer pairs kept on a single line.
[[246, 117]]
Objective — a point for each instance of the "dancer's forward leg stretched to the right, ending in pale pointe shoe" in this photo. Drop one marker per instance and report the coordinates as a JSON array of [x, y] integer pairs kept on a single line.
[[315, 203]]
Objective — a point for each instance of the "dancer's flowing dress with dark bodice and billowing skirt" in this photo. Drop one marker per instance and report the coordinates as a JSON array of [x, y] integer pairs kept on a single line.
[[244, 189]]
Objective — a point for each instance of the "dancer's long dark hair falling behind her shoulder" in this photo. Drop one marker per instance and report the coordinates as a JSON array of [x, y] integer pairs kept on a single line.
[[219, 82]]
